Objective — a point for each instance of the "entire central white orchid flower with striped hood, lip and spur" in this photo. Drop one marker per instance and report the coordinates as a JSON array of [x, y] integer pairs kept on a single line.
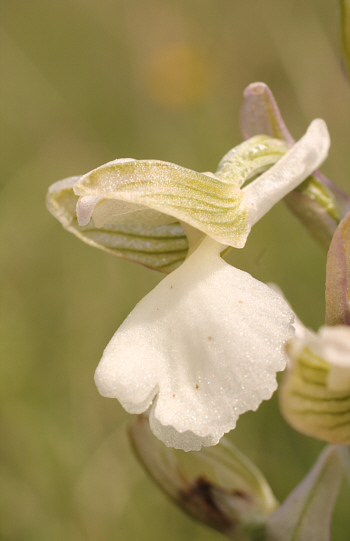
[[205, 345]]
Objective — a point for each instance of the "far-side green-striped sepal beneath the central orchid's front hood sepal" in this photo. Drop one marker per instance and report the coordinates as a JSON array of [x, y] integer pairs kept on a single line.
[[161, 247]]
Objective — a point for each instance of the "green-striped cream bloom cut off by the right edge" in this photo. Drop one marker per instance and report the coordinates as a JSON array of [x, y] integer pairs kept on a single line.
[[315, 394]]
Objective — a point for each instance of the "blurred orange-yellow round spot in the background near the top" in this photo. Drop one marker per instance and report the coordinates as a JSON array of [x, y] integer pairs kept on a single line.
[[178, 75]]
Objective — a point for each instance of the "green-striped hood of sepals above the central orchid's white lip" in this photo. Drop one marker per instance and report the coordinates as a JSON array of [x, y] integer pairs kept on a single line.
[[133, 208]]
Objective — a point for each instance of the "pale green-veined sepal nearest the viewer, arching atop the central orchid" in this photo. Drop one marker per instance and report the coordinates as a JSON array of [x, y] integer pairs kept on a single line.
[[217, 208]]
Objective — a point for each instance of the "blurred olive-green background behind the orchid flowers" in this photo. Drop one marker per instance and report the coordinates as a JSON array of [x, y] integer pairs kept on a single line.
[[84, 82]]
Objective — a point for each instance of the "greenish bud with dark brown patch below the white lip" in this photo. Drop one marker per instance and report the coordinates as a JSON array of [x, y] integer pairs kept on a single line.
[[218, 486]]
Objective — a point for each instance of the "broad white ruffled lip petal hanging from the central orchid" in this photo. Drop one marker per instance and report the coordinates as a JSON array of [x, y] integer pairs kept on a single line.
[[208, 341]]
